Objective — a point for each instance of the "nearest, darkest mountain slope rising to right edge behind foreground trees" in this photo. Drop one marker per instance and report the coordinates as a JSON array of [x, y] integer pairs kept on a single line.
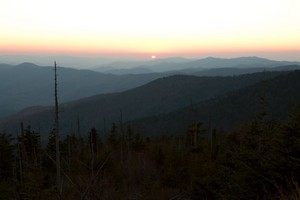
[[277, 97]]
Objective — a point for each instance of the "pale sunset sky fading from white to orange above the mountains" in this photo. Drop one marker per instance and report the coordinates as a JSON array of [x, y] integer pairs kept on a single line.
[[152, 27]]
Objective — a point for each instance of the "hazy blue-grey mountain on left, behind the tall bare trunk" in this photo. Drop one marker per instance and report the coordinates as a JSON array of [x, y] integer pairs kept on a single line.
[[31, 85]]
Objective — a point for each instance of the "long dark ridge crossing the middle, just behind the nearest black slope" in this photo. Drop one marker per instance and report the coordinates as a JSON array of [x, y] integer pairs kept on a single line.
[[160, 96]]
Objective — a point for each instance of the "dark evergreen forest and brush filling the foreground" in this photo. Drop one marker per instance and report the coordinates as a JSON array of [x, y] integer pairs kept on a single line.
[[259, 160]]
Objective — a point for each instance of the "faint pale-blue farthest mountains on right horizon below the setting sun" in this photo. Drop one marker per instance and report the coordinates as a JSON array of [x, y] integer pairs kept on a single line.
[[188, 66]]
